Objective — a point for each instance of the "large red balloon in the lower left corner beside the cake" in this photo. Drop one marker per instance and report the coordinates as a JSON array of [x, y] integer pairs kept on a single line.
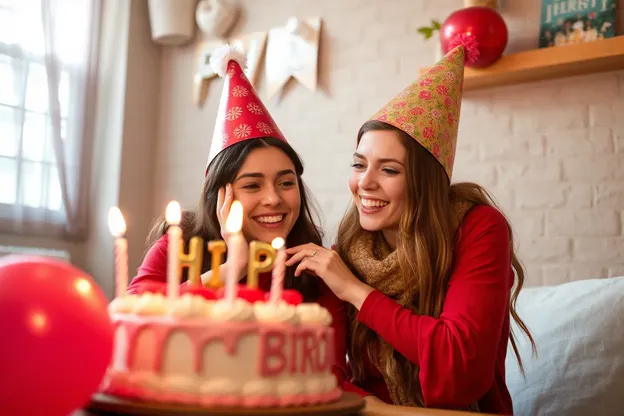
[[57, 337]]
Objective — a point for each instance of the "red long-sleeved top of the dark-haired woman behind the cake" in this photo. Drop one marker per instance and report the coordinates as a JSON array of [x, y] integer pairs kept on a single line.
[[154, 270]]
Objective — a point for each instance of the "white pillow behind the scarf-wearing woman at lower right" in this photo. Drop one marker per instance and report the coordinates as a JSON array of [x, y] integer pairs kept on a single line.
[[579, 331]]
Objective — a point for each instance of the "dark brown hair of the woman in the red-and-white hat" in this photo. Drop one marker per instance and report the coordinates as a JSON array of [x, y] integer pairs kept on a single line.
[[205, 223]]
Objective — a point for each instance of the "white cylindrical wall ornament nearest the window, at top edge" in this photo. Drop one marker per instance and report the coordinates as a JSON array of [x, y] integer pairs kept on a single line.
[[171, 21]]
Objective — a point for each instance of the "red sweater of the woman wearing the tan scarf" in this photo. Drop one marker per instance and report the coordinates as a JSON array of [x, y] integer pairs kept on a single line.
[[462, 354]]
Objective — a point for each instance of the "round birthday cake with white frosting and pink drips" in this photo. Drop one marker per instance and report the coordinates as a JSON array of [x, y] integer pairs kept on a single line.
[[193, 350]]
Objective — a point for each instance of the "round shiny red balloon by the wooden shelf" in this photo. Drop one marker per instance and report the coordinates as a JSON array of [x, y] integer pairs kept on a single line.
[[485, 25]]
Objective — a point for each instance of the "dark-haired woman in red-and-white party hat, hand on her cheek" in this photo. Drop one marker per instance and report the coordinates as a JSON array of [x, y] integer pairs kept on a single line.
[[251, 162]]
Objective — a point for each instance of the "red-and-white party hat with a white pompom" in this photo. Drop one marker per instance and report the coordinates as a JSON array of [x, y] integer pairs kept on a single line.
[[241, 114]]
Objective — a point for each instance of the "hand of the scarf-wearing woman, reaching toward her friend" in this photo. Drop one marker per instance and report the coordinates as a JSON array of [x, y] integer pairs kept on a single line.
[[328, 265]]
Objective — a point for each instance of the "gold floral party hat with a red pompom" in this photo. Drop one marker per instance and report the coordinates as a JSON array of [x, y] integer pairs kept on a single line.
[[428, 109]]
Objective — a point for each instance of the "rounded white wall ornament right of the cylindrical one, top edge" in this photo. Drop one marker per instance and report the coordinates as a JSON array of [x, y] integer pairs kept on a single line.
[[216, 18]]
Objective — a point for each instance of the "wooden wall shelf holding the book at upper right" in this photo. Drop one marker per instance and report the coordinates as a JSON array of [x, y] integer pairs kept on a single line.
[[548, 63]]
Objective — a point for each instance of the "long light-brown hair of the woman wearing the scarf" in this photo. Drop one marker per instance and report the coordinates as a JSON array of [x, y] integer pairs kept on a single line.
[[425, 244]]
